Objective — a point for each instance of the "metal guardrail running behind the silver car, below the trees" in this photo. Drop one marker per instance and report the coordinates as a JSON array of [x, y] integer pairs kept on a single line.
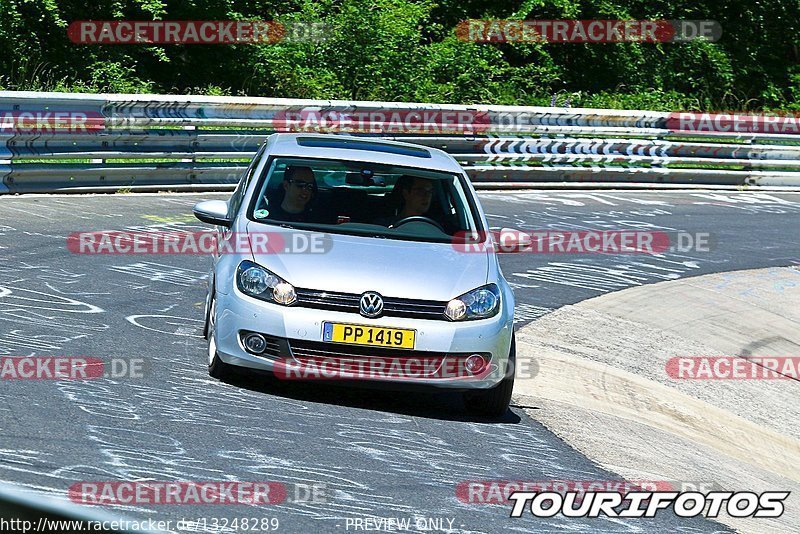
[[142, 142]]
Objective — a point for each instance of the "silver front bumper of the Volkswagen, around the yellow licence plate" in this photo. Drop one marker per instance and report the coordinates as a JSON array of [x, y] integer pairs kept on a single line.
[[296, 331]]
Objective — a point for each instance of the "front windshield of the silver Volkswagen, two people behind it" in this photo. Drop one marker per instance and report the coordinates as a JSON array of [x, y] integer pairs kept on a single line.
[[368, 199]]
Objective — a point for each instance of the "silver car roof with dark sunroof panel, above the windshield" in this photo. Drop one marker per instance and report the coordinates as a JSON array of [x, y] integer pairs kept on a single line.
[[366, 149]]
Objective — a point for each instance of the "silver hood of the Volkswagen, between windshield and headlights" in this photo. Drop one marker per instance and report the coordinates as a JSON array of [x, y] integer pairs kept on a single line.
[[393, 268]]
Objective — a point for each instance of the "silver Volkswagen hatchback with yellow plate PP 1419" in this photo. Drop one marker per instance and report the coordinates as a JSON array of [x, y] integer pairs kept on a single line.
[[359, 260]]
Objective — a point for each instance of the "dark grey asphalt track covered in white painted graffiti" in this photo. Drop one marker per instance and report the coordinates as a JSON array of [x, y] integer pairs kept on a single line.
[[378, 454]]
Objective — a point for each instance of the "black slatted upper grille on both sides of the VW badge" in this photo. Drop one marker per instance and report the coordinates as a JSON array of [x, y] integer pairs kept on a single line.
[[392, 306]]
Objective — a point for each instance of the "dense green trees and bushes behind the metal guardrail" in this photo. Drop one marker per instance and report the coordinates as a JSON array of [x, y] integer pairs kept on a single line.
[[406, 50]]
